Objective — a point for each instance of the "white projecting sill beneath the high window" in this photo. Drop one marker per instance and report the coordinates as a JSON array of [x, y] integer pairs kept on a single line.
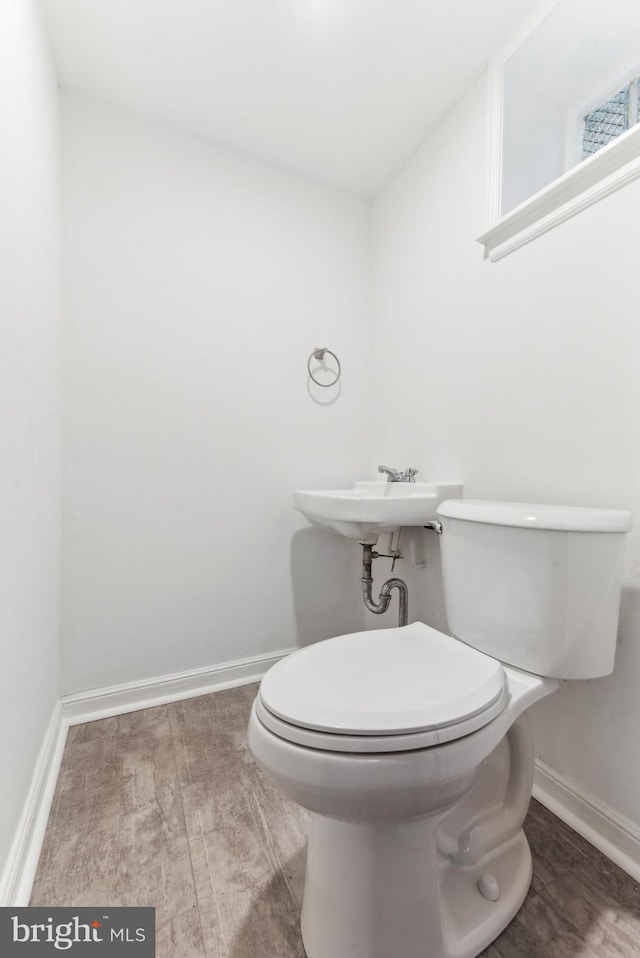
[[602, 174]]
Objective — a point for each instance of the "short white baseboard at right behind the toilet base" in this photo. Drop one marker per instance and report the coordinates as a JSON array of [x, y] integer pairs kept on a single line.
[[611, 833]]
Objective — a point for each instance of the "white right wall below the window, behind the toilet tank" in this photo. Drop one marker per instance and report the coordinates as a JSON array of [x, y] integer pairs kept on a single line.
[[520, 378]]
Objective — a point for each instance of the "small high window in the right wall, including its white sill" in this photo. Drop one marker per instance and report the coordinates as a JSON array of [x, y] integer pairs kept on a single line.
[[564, 118]]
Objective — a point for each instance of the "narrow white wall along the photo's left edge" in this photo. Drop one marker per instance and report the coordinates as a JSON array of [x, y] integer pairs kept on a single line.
[[29, 403]]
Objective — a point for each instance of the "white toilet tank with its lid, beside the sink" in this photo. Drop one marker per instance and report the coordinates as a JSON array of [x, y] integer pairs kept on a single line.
[[535, 586]]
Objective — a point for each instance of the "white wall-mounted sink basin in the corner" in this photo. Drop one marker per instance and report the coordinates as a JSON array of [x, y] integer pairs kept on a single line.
[[372, 508]]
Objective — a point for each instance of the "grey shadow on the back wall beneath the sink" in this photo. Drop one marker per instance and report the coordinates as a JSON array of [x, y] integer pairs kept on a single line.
[[325, 580]]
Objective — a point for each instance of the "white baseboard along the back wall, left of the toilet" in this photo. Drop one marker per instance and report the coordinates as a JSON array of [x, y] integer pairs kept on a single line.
[[133, 696]]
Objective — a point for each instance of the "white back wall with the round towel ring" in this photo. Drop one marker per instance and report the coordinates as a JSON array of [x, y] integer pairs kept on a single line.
[[197, 284]]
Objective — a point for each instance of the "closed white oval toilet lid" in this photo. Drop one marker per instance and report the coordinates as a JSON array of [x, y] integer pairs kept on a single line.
[[385, 682]]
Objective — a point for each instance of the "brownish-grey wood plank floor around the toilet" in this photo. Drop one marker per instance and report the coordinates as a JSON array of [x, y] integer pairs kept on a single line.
[[165, 807]]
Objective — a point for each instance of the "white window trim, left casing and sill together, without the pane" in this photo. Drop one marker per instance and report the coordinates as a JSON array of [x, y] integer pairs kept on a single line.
[[584, 184]]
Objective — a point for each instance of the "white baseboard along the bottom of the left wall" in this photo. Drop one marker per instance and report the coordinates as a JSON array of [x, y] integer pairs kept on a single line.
[[17, 878]]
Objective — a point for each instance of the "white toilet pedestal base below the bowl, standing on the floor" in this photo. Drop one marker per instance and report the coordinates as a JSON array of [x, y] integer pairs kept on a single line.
[[373, 891]]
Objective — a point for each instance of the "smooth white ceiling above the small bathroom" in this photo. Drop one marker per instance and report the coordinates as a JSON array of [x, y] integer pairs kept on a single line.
[[338, 90]]
